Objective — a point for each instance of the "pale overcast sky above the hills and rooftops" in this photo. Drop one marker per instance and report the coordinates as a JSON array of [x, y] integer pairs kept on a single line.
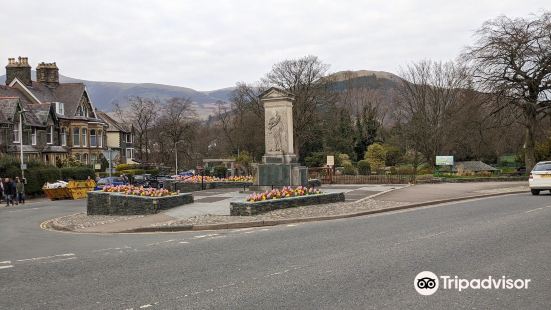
[[207, 45]]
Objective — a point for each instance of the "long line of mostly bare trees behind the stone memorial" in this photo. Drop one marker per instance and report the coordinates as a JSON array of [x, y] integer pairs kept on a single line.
[[494, 99]]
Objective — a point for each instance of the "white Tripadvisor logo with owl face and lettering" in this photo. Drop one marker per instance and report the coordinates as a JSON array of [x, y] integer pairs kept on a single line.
[[427, 283]]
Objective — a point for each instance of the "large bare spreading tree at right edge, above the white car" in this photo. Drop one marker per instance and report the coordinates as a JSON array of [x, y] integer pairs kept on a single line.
[[512, 59]]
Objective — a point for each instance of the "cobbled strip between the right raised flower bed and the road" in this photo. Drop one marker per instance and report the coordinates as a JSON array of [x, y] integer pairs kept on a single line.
[[298, 212]]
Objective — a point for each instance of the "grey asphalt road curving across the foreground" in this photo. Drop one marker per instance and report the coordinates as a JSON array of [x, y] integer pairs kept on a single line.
[[360, 263]]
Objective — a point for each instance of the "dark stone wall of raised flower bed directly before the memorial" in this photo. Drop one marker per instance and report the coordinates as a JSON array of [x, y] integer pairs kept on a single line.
[[253, 208]]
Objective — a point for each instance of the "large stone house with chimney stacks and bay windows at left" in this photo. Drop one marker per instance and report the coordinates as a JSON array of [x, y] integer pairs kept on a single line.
[[72, 126]]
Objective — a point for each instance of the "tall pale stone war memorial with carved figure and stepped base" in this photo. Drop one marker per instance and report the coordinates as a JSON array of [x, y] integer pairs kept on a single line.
[[279, 166]]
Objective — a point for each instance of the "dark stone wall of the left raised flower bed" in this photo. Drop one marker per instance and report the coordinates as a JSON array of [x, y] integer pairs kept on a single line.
[[101, 203]]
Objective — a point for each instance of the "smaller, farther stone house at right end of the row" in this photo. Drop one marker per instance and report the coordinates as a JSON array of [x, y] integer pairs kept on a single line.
[[120, 139]]
